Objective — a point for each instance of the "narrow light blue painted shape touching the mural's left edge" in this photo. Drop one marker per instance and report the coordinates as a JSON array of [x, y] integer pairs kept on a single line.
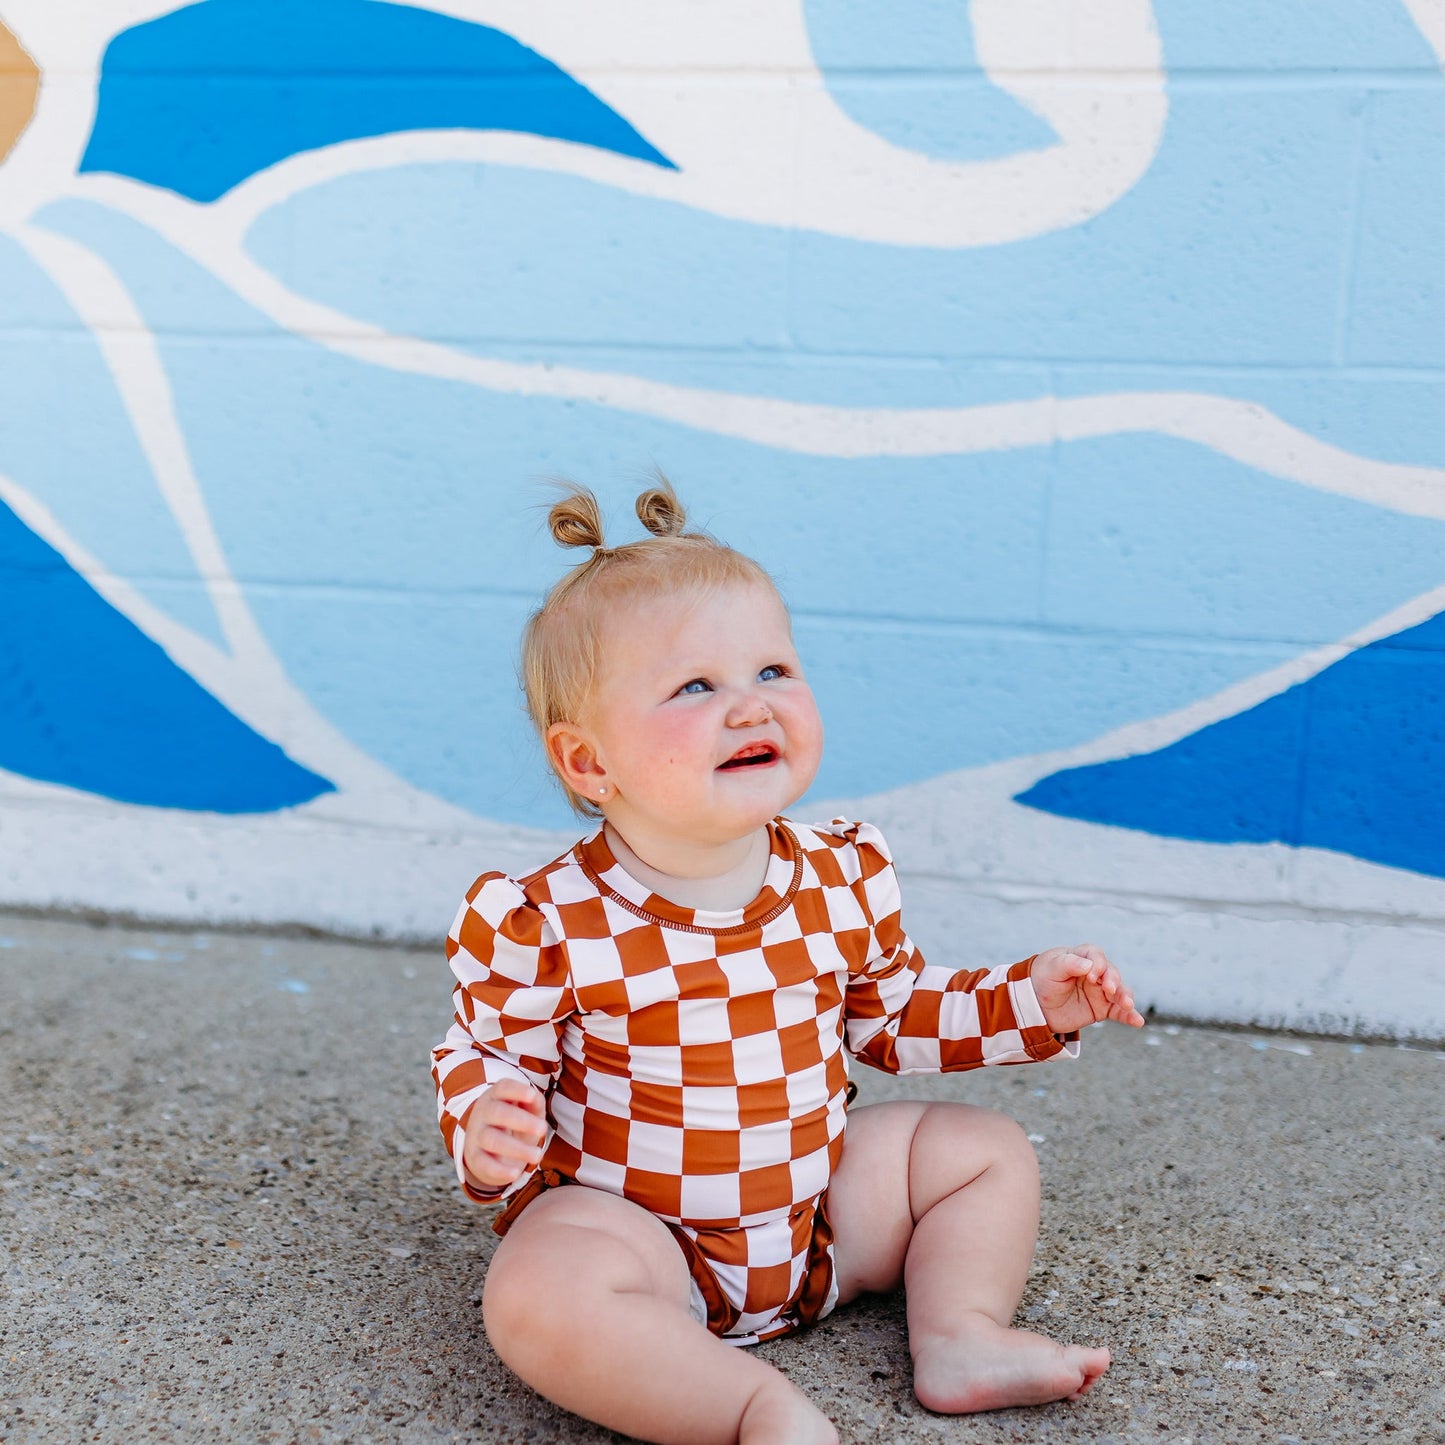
[[69, 441]]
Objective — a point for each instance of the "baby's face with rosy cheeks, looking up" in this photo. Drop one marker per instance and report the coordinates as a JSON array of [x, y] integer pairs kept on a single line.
[[703, 717]]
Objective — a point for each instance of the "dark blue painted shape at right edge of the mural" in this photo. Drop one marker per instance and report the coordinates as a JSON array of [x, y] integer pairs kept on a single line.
[[1350, 761]]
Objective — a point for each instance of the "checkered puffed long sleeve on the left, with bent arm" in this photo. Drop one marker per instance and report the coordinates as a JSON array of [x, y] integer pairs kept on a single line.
[[512, 1001]]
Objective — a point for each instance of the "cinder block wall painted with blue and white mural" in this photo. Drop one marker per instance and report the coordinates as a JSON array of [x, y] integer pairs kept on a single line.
[[1079, 368]]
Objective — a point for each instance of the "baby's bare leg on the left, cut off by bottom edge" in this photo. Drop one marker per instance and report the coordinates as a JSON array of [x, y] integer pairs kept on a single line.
[[587, 1301]]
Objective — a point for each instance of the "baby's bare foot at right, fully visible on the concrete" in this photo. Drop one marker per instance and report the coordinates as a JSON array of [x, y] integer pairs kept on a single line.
[[983, 1366]]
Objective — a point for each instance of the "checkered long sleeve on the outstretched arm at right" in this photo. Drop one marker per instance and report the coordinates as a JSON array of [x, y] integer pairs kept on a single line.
[[907, 1017]]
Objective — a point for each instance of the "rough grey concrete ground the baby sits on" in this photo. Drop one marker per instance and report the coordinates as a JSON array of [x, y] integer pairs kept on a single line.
[[228, 1217]]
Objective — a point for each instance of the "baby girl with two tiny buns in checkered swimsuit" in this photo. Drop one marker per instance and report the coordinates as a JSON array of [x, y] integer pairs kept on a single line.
[[650, 1060]]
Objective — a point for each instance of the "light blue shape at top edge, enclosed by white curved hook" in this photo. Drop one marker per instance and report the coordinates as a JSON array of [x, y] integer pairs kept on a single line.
[[910, 73]]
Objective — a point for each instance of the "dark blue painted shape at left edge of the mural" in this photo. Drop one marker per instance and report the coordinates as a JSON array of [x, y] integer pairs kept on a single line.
[[90, 702]]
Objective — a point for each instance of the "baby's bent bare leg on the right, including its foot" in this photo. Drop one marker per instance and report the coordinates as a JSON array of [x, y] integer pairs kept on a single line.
[[944, 1199]]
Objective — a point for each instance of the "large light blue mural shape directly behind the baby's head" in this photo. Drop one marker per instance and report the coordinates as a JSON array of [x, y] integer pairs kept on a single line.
[[937, 629]]
